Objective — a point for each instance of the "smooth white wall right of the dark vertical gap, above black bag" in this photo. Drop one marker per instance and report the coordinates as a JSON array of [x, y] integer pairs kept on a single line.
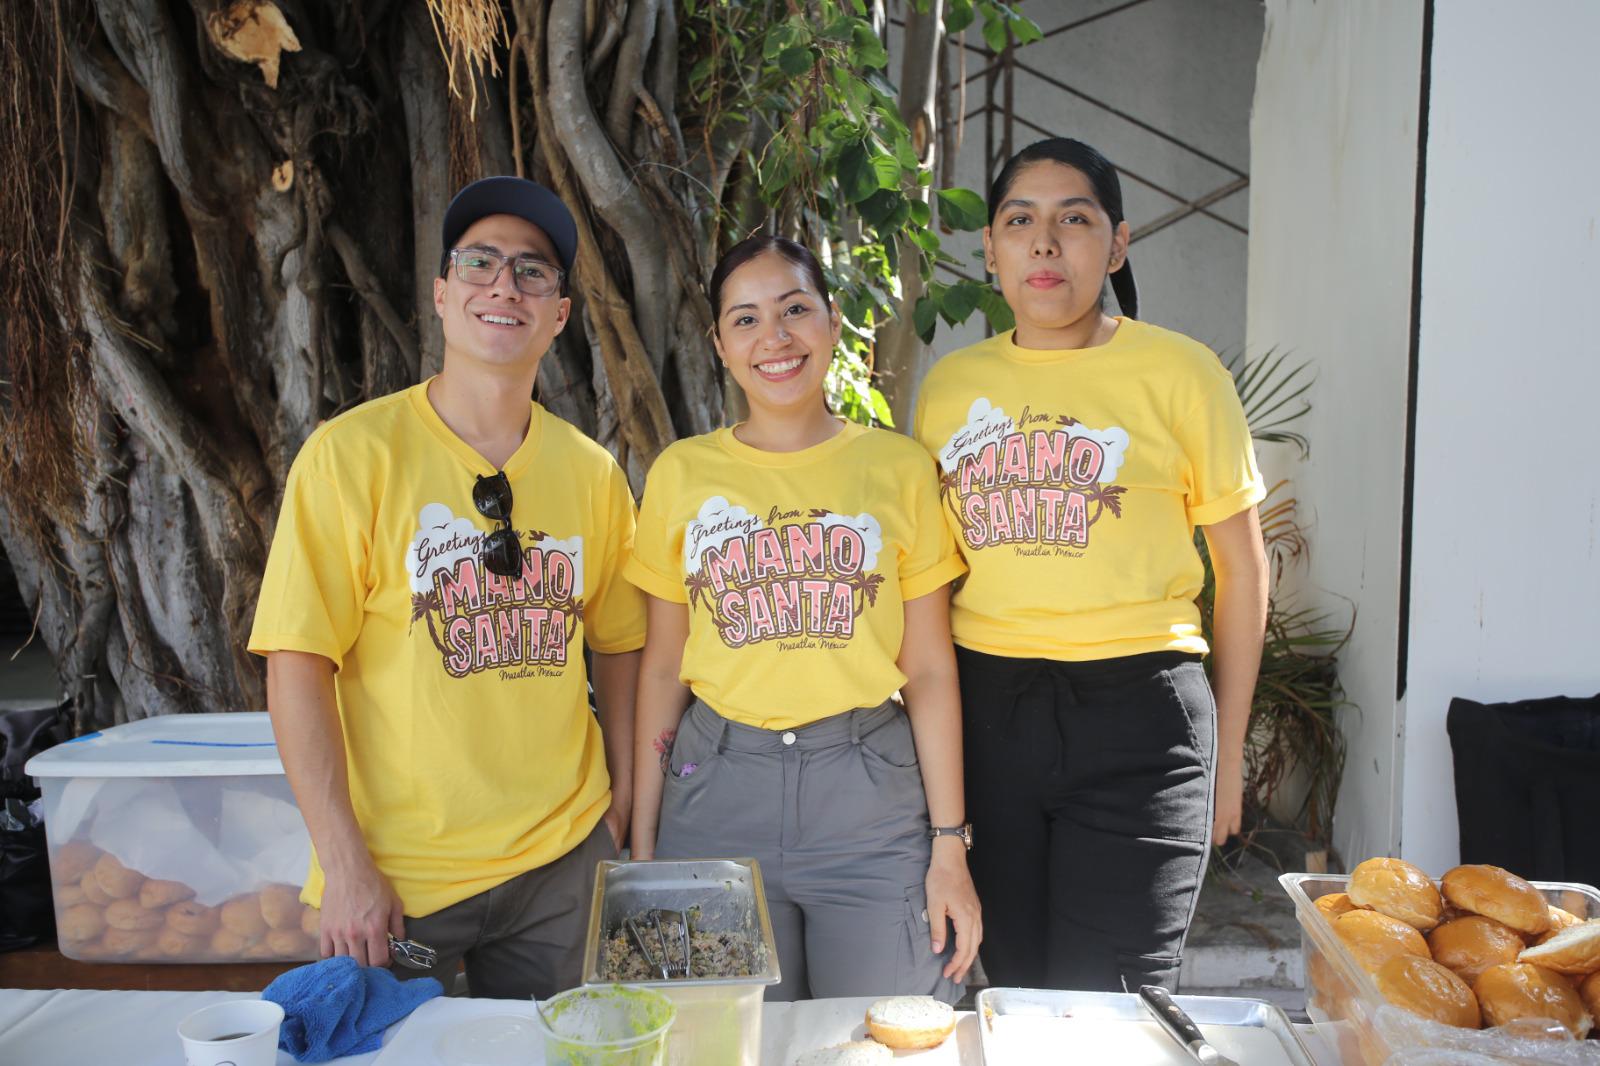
[[1506, 569]]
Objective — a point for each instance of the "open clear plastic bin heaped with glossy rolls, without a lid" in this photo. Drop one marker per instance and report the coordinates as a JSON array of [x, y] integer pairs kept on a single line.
[[1353, 1016]]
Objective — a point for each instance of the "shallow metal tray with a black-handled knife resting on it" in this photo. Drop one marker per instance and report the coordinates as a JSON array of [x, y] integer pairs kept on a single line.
[[1207, 1011]]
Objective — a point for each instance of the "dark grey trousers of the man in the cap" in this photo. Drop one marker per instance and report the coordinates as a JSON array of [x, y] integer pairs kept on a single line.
[[524, 937]]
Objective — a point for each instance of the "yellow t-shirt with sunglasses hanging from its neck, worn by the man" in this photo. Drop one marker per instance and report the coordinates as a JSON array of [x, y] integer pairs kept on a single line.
[[471, 748]]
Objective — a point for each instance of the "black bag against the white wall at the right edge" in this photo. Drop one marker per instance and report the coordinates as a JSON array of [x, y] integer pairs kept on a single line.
[[1529, 785]]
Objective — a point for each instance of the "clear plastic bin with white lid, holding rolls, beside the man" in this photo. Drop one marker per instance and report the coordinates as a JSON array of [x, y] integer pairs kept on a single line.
[[177, 840]]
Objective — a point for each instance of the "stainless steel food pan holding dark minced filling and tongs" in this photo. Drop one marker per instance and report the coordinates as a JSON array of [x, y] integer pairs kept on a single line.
[[729, 894]]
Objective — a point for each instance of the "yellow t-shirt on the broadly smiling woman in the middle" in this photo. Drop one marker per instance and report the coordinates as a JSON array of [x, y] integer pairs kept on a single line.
[[796, 567]]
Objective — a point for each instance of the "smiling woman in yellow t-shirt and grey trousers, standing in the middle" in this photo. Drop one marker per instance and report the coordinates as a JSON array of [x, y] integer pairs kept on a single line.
[[799, 572]]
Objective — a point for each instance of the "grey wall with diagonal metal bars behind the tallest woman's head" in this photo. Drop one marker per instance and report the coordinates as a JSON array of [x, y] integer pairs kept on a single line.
[[1182, 66]]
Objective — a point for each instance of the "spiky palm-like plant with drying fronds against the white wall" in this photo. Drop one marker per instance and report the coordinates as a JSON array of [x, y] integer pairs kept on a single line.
[[1294, 715]]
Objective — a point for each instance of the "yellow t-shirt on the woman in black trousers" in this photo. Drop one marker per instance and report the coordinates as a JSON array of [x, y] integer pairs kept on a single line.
[[1074, 483]]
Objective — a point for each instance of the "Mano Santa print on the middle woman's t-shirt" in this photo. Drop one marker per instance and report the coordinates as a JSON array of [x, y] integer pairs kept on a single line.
[[802, 585]]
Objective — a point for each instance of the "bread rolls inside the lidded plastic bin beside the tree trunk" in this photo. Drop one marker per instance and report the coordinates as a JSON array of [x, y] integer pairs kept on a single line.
[[106, 912]]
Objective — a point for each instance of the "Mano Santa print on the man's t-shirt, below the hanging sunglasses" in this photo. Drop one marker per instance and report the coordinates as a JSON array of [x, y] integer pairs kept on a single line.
[[481, 620]]
